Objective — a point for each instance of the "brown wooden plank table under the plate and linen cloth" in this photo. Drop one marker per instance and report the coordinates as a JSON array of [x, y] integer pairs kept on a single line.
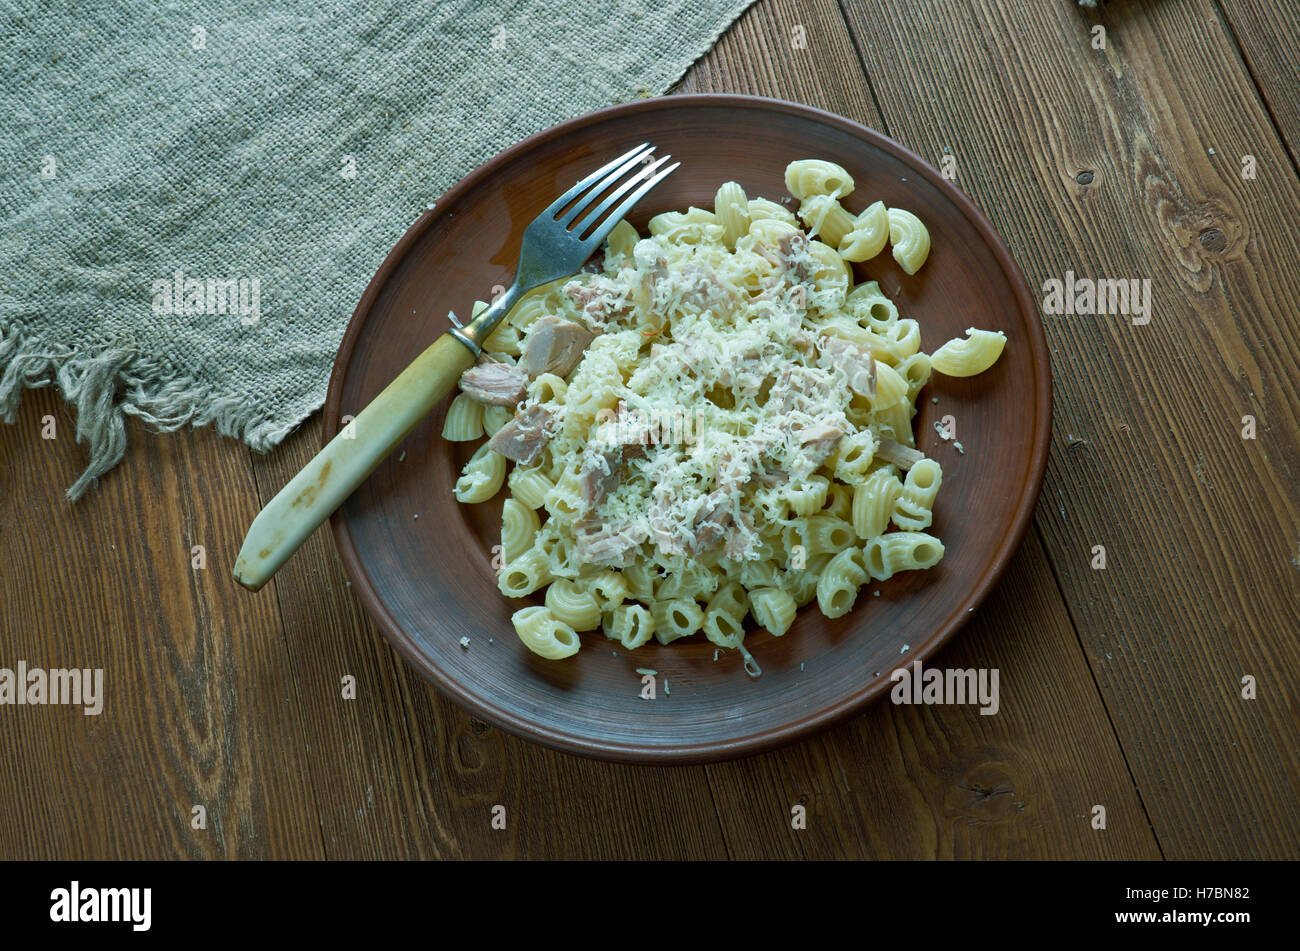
[[1123, 688]]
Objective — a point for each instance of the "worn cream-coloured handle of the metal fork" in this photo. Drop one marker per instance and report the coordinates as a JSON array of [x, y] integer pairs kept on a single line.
[[348, 459]]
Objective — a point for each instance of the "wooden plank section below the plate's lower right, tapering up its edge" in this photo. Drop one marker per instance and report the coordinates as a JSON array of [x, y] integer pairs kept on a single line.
[[947, 783]]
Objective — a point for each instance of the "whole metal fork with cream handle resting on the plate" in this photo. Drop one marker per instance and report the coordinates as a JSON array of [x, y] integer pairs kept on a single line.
[[554, 247]]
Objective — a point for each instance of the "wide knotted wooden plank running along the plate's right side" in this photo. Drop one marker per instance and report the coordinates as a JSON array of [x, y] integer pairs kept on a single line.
[[1199, 526]]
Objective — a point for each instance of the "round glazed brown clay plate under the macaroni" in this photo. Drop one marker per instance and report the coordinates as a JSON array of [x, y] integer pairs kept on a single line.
[[428, 581]]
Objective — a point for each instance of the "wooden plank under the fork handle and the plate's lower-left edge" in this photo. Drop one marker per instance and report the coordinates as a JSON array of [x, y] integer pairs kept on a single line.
[[404, 772]]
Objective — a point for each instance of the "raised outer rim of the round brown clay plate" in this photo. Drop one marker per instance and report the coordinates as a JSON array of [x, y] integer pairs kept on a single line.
[[855, 704]]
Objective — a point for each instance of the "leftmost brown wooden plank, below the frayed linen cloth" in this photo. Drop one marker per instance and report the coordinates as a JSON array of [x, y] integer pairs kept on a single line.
[[197, 691]]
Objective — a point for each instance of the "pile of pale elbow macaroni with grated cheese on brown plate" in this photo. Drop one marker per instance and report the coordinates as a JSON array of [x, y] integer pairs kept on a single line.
[[809, 532]]
